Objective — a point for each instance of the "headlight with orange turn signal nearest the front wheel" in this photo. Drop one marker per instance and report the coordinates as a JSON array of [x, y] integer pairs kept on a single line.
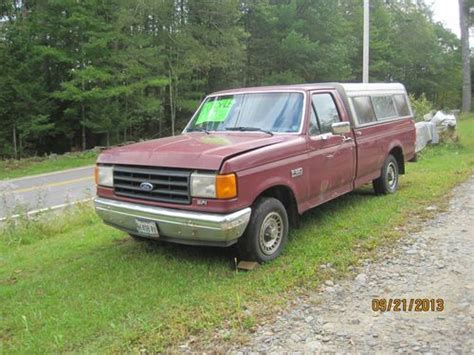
[[213, 186]]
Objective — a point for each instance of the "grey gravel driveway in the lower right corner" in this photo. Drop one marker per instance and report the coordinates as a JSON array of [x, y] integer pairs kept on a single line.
[[436, 262]]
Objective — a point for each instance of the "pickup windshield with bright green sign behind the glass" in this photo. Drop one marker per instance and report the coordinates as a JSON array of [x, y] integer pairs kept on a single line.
[[271, 112]]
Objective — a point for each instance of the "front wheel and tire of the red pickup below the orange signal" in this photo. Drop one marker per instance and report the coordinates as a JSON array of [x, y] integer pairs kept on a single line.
[[266, 233]]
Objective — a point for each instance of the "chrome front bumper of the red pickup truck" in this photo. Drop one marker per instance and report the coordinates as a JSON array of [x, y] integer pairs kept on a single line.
[[174, 225]]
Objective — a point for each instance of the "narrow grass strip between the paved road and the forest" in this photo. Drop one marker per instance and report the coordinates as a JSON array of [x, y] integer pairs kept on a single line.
[[10, 169]]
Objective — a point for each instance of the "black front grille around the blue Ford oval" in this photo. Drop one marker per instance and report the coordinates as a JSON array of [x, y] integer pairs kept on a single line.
[[168, 185]]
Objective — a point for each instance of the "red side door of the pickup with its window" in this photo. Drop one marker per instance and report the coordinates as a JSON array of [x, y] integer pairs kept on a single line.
[[332, 157]]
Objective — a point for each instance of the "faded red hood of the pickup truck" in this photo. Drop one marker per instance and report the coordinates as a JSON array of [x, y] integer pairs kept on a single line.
[[192, 151]]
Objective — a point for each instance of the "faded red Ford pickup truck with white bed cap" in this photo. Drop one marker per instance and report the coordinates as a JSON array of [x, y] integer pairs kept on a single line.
[[252, 160]]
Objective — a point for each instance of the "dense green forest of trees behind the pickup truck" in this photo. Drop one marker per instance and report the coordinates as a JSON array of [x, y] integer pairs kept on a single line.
[[80, 73]]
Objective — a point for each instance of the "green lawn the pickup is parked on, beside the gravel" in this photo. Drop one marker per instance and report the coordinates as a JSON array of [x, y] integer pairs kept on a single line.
[[78, 285]]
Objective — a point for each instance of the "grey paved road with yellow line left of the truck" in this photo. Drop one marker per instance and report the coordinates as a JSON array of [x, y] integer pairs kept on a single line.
[[53, 190]]
